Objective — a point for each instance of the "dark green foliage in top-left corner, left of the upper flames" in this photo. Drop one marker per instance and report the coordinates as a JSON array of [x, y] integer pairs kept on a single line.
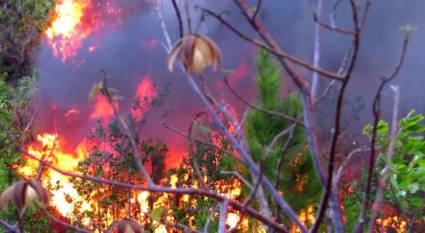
[[21, 25]]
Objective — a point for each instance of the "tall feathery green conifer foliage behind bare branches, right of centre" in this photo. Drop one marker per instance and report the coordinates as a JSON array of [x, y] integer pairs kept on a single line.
[[296, 176]]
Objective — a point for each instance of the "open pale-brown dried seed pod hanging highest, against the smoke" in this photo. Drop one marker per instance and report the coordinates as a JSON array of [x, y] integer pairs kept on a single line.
[[196, 52]]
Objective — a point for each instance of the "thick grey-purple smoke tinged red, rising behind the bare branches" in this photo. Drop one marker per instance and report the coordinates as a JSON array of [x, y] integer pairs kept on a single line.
[[128, 47]]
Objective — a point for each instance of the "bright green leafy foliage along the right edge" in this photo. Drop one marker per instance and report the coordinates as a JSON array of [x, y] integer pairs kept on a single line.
[[406, 178]]
